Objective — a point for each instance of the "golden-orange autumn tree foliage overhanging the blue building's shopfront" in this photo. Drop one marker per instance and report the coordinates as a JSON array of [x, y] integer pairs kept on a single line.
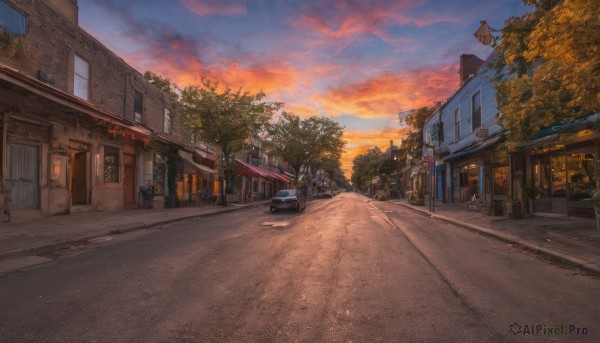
[[554, 62]]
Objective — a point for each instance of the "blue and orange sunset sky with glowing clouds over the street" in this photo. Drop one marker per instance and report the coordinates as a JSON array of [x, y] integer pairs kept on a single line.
[[358, 62]]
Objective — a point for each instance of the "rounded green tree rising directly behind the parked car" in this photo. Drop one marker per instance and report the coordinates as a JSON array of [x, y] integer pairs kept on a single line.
[[306, 144]]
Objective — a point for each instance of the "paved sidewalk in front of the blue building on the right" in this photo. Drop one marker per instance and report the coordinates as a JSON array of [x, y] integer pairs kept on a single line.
[[570, 240]]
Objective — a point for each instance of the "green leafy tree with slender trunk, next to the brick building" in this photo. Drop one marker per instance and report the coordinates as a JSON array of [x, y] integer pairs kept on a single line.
[[225, 119]]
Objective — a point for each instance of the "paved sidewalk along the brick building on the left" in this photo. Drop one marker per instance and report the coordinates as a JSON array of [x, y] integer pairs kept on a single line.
[[31, 237]]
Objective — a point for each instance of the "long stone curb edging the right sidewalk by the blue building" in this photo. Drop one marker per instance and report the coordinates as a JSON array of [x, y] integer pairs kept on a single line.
[[527, 245]]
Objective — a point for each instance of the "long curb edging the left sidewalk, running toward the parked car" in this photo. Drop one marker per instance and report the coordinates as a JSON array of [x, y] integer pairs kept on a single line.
[[121, 229]]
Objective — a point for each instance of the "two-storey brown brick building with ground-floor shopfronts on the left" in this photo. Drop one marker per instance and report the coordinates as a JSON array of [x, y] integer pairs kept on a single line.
[[81, 129]]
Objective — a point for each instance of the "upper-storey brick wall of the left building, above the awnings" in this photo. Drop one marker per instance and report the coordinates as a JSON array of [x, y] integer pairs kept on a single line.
[[53, 41]]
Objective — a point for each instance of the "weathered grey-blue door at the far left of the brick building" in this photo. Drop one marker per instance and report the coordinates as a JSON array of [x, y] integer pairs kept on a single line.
[[23, 177]]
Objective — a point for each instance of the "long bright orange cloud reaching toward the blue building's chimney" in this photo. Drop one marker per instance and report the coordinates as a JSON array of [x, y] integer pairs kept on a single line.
[[389, 93]]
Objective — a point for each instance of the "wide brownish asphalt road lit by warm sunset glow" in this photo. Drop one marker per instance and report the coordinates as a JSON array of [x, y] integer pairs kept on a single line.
[[344, 270]]
